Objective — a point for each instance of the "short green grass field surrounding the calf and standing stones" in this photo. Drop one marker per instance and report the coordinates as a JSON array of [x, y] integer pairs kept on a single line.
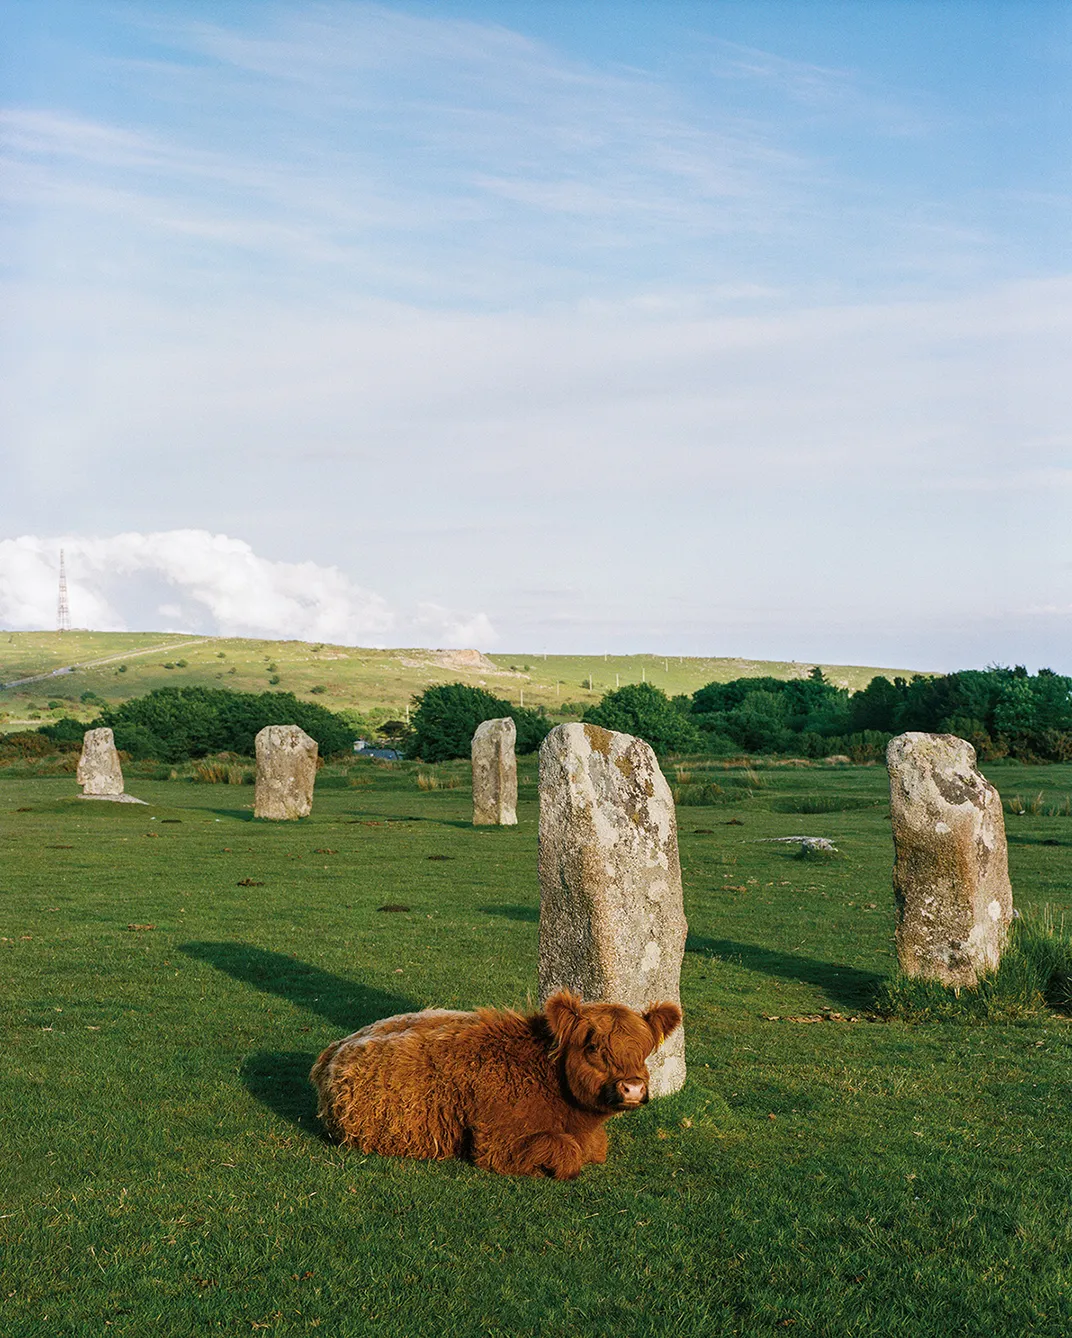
[[163, 1171]]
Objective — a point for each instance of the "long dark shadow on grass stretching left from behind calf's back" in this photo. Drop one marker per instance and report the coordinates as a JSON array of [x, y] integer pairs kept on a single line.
[[347, 1006]]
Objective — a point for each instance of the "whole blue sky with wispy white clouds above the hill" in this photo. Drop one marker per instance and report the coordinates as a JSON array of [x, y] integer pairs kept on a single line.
[[699, 328]]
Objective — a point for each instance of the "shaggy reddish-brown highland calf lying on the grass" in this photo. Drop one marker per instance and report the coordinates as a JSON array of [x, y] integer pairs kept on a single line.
[[519, 1095]]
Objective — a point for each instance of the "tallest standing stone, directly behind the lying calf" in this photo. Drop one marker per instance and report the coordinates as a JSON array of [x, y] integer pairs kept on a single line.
[[612, 925]]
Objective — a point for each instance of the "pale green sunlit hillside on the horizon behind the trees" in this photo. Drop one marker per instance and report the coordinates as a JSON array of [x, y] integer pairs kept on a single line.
[[378, 684]]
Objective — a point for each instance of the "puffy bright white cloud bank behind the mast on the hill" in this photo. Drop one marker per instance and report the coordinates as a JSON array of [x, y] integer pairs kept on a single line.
[[195, 581]]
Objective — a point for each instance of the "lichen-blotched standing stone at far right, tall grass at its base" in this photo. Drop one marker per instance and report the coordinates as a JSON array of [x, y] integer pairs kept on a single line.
[[951, 861]]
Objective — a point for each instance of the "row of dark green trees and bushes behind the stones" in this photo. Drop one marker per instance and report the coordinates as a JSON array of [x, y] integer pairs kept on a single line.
[[1003, 712]]
